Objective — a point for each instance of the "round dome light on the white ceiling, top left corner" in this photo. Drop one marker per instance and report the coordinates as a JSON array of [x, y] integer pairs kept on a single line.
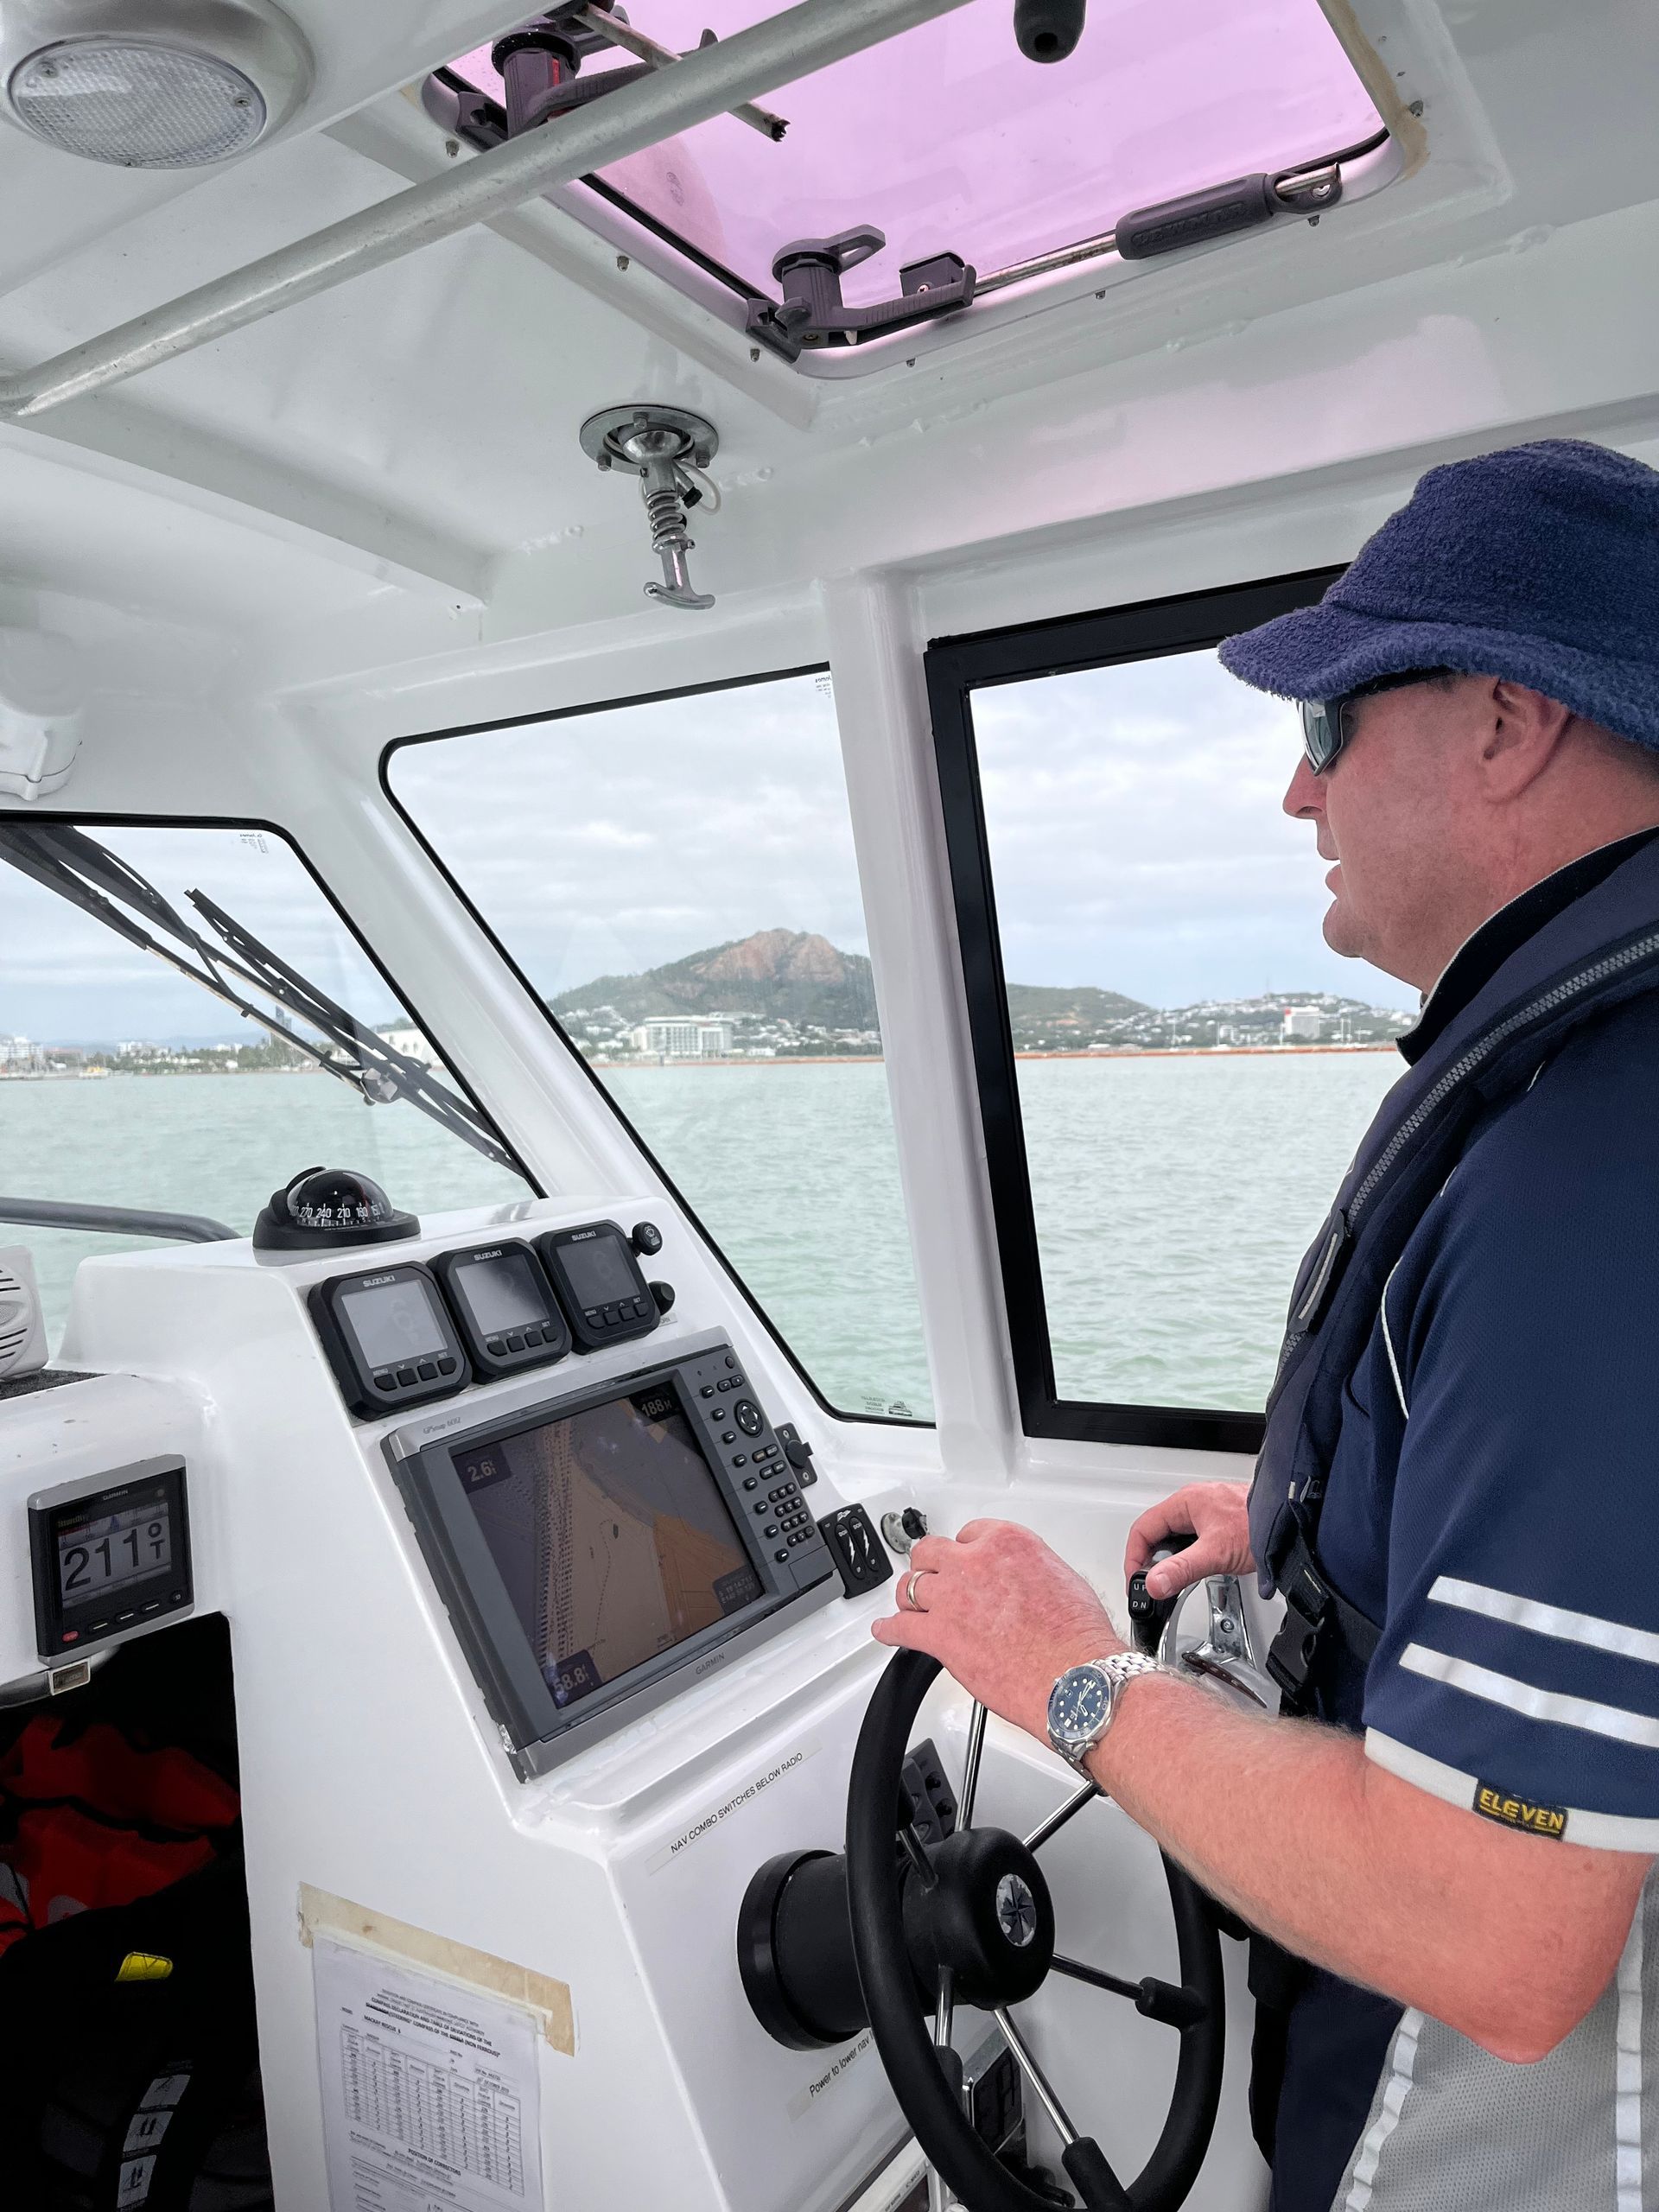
[[163, 85]]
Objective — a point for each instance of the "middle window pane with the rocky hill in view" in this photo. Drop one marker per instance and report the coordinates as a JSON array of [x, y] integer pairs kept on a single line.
[[676, 881]]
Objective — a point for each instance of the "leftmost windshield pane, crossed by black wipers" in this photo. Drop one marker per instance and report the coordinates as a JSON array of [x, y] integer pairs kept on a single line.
[[129, 1074]]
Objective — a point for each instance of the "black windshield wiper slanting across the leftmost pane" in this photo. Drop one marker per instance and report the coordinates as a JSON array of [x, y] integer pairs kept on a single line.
[[101, 884]]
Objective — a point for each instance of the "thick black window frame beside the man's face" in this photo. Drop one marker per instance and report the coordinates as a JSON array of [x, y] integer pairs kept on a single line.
[[954, 669]]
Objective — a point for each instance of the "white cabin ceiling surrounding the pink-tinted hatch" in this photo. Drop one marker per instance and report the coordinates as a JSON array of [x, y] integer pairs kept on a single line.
[[408, 441]]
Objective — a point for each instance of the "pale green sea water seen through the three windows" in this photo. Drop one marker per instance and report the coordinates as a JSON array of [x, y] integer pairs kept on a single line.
[[1173, 1196]]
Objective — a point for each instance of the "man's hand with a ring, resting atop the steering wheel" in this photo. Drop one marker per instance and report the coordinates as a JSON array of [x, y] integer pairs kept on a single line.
[[1003, 1614]]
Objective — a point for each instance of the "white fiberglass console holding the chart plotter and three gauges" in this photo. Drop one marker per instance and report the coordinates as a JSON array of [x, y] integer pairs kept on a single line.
[[525, 1691]]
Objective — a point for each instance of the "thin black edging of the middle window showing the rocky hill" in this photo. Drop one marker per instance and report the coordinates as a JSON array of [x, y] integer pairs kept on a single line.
[[693, 1220]]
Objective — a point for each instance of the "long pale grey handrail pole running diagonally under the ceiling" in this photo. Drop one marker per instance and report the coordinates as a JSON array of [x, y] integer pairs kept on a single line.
[[707, 83]]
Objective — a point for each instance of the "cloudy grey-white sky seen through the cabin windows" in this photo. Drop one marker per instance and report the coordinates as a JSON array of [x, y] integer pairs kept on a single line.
[[1134, 820]]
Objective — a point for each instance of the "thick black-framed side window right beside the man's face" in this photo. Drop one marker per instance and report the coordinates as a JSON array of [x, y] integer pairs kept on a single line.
[[1176, 1065]]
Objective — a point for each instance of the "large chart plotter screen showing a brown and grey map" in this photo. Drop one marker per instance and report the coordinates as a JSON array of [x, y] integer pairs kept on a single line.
[[609, 1534]]
